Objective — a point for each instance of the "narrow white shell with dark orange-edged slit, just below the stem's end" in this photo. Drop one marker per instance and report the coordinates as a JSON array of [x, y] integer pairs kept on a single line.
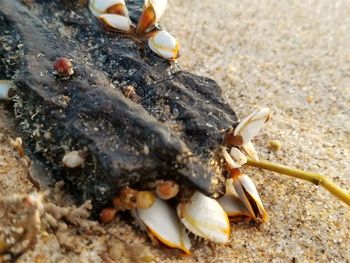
[[244, 185]]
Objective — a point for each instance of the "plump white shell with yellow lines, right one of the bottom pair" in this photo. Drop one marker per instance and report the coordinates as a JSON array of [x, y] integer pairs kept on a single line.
[[204, 217]]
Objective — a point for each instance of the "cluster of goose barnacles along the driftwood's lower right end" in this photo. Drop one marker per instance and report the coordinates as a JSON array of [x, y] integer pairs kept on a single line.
[[201, 215]]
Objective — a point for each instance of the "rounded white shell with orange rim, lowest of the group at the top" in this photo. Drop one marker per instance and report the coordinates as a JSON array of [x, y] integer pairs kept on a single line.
[[164, 45]]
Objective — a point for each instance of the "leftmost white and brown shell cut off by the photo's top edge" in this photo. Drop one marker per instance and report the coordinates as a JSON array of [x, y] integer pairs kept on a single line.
[[99, 7]]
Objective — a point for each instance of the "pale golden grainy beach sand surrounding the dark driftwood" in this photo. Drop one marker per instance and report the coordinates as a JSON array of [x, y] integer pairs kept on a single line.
[[294, 58]]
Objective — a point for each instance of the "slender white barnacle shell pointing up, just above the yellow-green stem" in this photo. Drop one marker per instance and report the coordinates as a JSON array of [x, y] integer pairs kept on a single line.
[[251, 126]]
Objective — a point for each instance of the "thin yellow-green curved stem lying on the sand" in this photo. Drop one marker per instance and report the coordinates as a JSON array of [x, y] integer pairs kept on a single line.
[[314, 178]]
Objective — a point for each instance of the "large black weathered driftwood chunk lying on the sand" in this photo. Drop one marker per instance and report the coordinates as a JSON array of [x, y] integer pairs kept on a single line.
[[172, 131]]
